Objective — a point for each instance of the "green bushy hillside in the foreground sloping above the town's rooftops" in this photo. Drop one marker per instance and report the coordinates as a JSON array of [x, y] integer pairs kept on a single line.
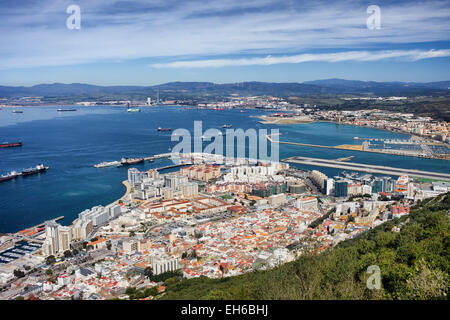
[[414, 264]]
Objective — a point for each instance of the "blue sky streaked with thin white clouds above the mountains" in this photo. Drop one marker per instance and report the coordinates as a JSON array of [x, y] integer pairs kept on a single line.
[[156, 41]]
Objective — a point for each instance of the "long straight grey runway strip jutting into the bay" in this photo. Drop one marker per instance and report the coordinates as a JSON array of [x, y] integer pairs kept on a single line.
[[368, 168]]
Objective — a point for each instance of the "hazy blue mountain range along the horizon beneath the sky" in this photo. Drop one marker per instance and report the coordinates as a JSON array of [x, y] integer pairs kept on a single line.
[[190, 89]]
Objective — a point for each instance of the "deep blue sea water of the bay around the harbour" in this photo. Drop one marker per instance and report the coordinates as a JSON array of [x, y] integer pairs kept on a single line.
[[72, 142]]
